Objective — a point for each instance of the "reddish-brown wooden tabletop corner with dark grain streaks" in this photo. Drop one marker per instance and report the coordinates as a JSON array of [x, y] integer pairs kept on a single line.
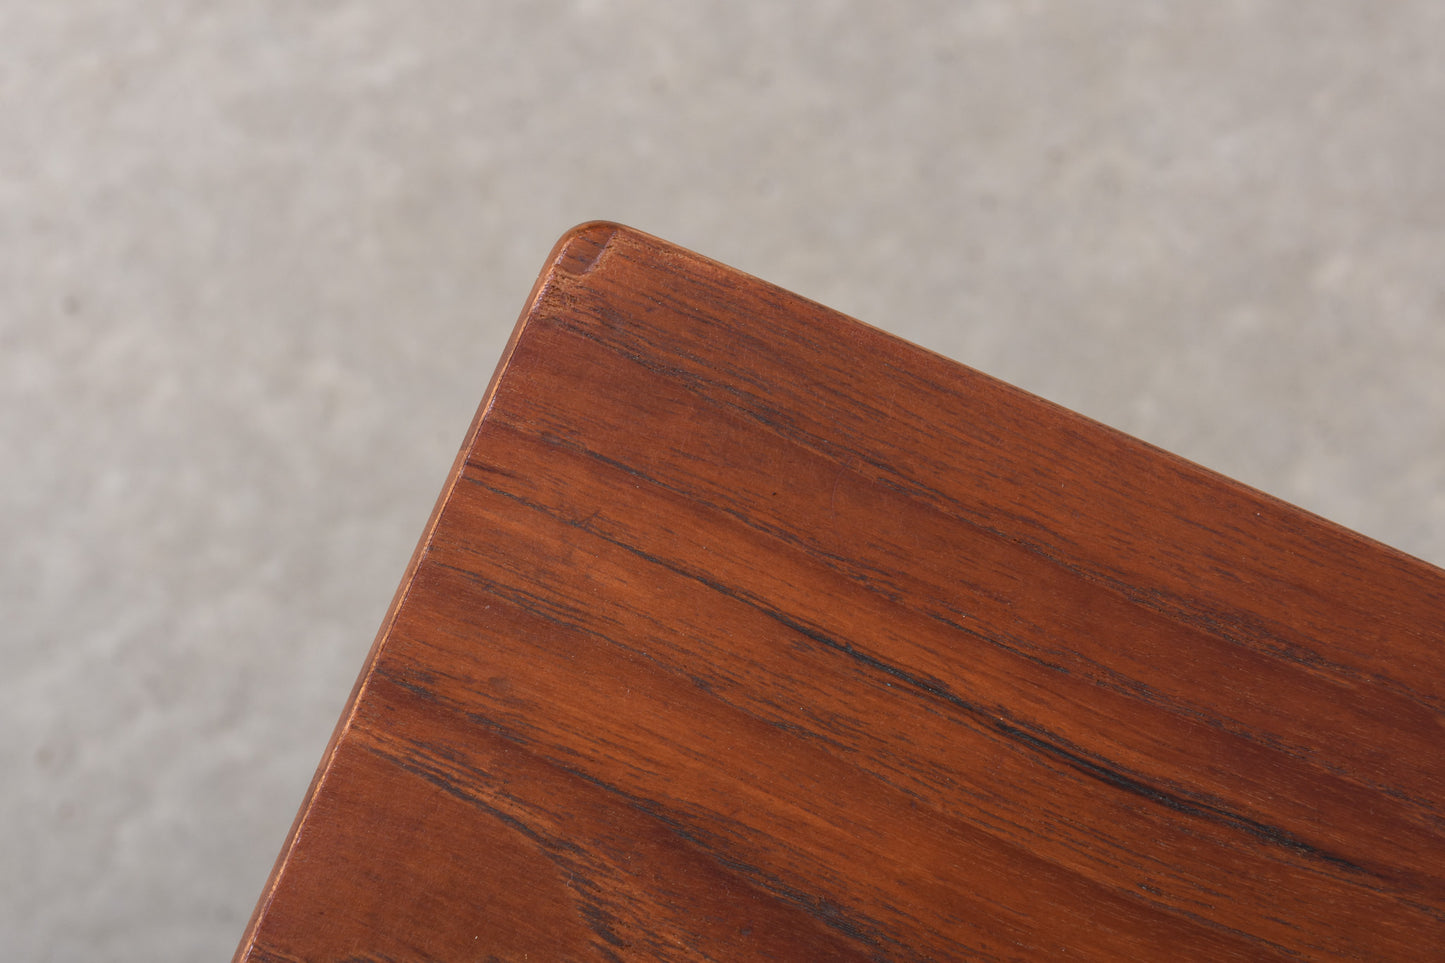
[[746, 633]]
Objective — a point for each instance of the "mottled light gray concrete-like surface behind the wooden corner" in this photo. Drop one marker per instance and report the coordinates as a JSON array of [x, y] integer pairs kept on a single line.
[[258, 262]]
